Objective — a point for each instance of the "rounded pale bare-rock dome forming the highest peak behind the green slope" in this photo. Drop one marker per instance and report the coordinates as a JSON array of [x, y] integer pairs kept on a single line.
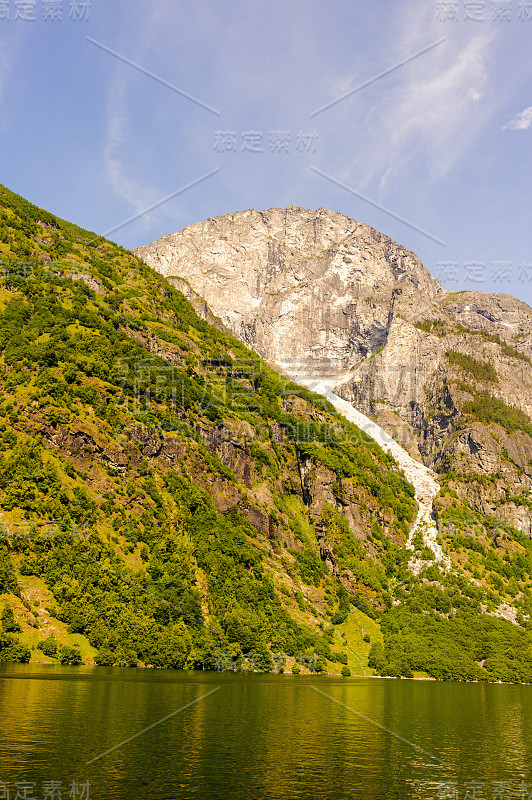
[[312, 289]]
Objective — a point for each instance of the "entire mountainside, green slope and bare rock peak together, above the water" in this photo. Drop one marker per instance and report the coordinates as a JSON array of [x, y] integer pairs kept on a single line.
[[168, 499]]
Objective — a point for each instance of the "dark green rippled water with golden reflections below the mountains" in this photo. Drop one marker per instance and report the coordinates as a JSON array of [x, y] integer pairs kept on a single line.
[[260, 736]]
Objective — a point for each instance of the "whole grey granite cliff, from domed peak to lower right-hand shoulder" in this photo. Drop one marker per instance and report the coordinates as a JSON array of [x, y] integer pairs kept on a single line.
[[448, 375]]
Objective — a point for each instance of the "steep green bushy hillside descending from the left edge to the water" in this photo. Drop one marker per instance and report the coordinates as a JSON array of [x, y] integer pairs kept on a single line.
[[151, 485]]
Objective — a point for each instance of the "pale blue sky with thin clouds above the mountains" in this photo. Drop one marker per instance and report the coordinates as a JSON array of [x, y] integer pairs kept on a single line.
[[434, 151]]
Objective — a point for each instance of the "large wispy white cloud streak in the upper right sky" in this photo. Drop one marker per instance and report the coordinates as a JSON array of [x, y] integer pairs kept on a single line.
[[429, 113]]
